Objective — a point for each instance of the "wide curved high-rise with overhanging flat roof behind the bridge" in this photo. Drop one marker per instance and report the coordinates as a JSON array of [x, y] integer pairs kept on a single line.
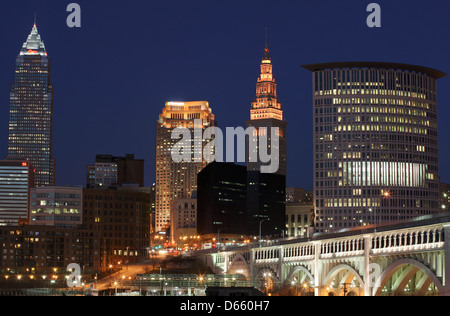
[[375, 143]]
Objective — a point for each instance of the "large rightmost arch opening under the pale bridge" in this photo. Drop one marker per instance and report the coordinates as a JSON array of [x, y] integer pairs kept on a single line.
[[406, 270]]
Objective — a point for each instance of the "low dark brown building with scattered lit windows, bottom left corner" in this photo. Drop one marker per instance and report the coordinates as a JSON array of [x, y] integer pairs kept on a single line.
[[44, 252]]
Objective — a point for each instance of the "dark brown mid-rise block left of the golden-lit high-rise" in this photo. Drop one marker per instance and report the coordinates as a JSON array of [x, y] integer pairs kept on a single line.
[[121, 216]]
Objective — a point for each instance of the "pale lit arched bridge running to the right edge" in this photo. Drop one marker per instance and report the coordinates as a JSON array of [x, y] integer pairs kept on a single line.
[[411, 258]]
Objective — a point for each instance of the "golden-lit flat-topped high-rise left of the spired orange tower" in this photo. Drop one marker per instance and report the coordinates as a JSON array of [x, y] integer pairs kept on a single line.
[[177, 180]]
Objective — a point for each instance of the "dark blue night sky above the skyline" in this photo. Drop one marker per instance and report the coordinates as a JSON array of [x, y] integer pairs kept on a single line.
[[113, 75]]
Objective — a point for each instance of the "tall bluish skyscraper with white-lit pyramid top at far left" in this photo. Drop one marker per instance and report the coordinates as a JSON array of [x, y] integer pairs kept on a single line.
[[31, 110]]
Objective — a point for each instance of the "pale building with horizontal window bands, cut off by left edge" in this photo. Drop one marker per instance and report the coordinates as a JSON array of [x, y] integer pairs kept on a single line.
[[16, 180]]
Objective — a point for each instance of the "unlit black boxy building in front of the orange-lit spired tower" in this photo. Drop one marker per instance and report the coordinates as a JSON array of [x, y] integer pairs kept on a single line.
[[237, 201]]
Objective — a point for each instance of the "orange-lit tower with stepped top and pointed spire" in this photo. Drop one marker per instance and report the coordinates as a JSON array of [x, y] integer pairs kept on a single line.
[[265, 114]]
